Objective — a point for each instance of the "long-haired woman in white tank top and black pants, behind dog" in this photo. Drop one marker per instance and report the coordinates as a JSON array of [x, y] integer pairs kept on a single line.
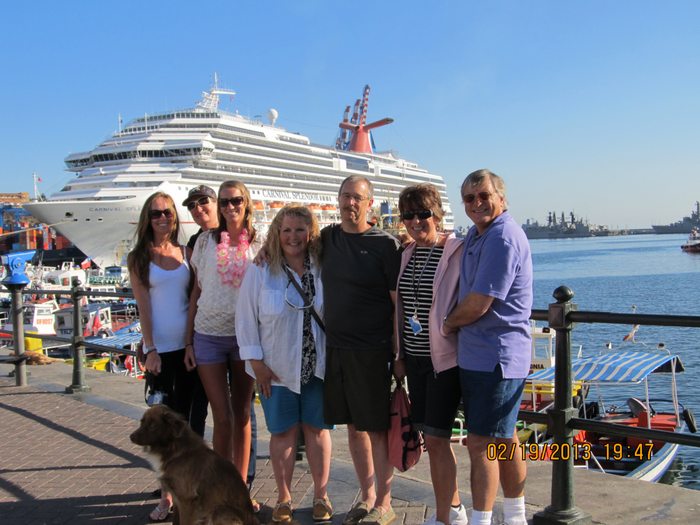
[[160, 277]]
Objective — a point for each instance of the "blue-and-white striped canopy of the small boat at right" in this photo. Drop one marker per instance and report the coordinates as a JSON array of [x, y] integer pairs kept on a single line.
[[618, 367]]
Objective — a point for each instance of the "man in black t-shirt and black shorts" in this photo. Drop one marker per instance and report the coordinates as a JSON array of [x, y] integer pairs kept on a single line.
[[360, 266]]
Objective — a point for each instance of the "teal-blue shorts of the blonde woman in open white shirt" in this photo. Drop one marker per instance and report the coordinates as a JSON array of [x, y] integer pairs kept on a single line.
[[285, 409]]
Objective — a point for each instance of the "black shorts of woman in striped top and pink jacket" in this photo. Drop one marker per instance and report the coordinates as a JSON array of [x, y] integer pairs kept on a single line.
[[434, 397]]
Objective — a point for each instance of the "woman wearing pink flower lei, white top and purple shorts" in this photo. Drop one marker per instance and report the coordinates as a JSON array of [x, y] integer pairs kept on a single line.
[[220, 260]]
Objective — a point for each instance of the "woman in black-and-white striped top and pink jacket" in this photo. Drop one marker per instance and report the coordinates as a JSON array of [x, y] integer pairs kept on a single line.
[[427, 291]]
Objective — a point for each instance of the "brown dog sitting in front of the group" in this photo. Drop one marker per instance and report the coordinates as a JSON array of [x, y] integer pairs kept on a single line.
[[206, 488]]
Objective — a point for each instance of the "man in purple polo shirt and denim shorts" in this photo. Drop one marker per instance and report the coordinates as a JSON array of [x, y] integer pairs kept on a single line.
[[492, 316]]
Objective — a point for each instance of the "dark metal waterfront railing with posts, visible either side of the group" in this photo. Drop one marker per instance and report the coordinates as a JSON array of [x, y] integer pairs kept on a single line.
[[561, 420]]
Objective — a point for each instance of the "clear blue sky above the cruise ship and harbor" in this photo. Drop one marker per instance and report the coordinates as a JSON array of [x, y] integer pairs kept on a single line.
[[590, 106]]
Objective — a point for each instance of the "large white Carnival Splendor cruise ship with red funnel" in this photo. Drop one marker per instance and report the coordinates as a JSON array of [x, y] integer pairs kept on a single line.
[[98, 209]]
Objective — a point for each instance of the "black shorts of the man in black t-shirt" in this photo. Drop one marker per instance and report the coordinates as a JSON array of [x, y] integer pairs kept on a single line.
[[357, 388]]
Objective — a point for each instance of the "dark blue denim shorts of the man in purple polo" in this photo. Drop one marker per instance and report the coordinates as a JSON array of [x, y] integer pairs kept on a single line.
[[491, 403]]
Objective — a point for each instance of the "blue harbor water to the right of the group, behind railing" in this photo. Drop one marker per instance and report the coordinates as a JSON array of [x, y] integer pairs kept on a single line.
[[617, 274]]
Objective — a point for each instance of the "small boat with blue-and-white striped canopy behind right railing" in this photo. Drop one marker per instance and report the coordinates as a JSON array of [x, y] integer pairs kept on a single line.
[[631, 457]]
